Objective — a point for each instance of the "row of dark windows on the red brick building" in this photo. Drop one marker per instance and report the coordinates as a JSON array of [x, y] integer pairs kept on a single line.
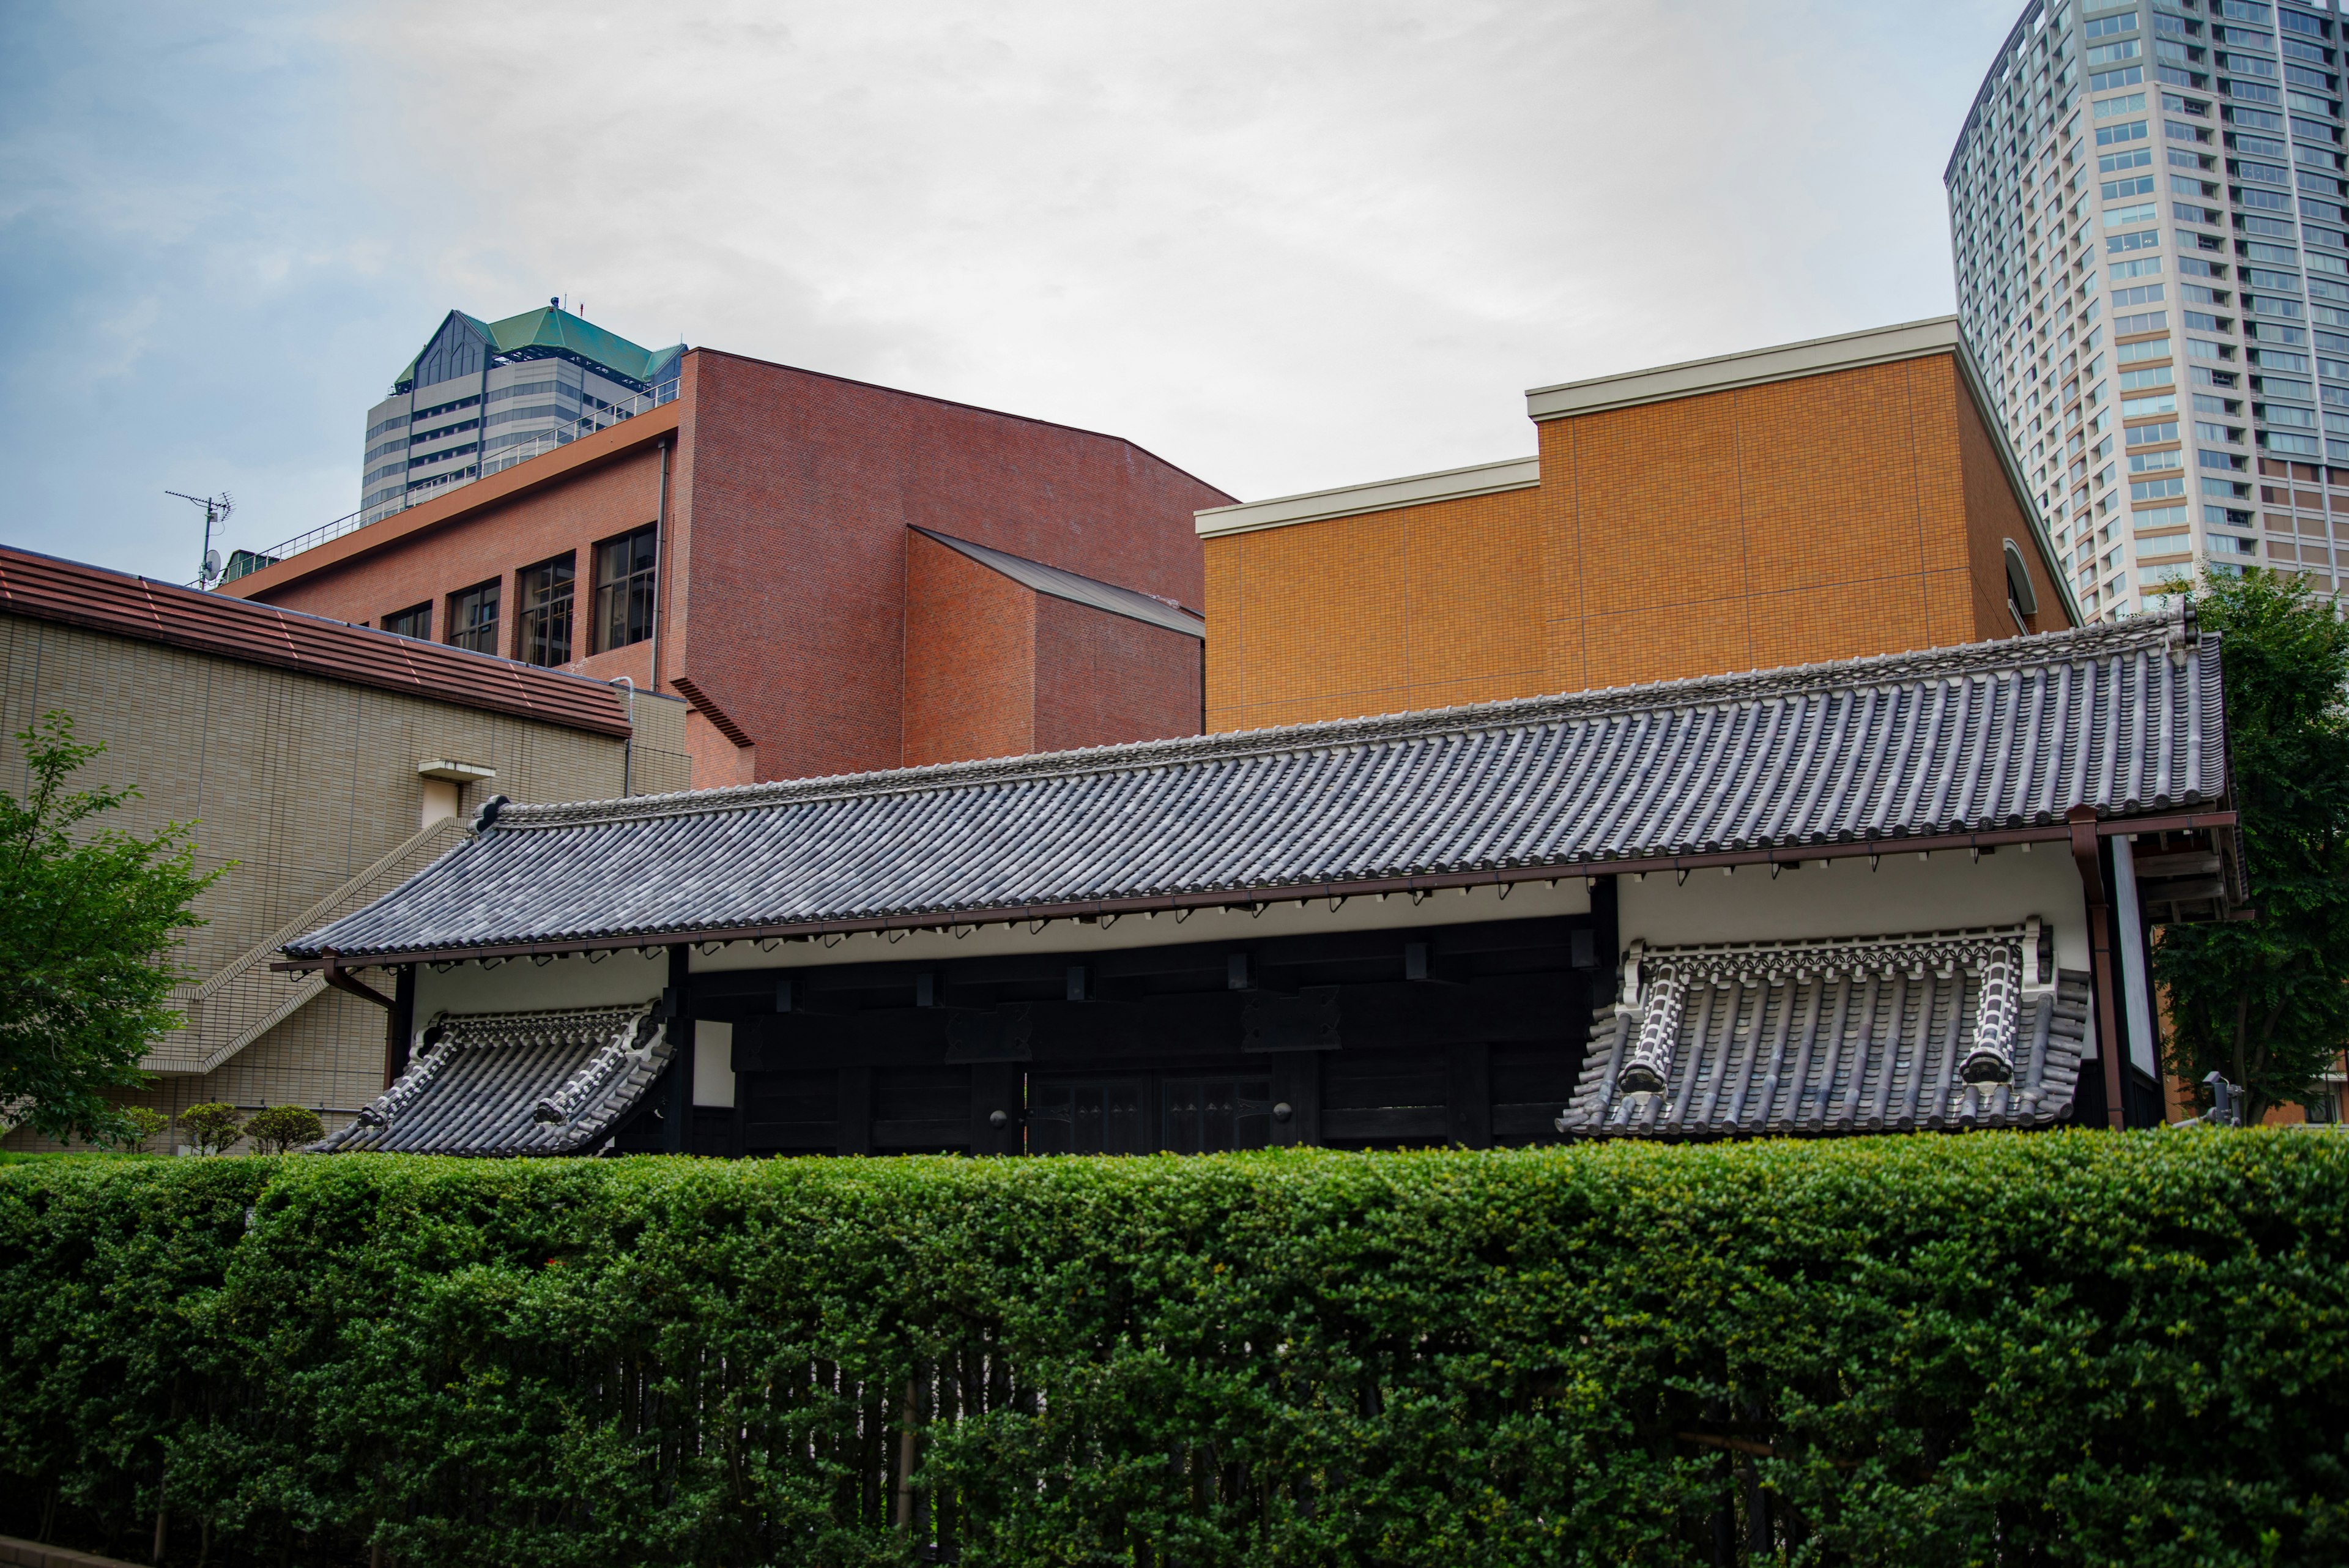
[[544, 596]]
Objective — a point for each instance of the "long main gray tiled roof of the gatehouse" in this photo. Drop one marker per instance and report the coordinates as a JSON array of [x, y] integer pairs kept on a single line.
[[2005, 735]]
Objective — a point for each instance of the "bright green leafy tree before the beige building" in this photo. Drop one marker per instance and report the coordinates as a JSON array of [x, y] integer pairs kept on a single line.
[[90, 925]]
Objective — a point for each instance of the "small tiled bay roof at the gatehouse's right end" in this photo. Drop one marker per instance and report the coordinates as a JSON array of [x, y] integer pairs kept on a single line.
[[1894, 1033]]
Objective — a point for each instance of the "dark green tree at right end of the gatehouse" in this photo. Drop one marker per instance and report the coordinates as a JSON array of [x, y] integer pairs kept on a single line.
[[2266, 1000]]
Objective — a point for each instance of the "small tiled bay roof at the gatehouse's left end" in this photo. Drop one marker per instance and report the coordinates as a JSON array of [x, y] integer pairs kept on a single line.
[[553, 1083]]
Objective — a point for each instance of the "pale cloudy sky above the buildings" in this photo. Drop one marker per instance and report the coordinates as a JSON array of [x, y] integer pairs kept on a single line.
[[1281, 246]]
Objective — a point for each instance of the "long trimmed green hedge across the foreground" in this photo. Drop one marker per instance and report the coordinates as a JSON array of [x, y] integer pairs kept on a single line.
[[1909, 1351]]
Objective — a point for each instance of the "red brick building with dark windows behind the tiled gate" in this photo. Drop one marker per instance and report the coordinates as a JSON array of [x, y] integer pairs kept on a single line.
[[837, 577]]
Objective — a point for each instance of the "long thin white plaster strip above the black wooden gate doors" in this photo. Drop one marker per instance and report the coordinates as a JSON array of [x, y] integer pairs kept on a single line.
[[1375, 913]]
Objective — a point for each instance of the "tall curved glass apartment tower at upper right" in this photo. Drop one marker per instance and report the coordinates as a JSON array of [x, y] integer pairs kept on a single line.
[[2153, 264]]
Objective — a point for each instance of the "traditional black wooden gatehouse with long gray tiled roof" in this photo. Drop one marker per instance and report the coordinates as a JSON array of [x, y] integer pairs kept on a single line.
[[1389, 930]]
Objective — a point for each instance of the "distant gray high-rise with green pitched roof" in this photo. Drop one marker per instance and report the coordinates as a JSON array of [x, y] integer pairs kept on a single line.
[[483, 396]]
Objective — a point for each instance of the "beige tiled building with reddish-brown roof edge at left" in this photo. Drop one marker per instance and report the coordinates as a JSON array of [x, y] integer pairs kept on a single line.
[[323, 765]]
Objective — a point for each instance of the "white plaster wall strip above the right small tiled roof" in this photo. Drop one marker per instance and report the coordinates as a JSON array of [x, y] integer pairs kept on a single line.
[[1843, 897]]
